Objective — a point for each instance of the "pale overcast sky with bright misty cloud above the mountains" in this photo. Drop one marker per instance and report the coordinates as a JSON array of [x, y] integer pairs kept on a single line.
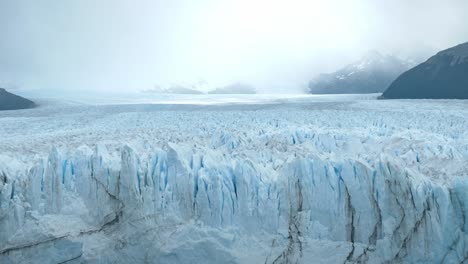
[[132, 45]]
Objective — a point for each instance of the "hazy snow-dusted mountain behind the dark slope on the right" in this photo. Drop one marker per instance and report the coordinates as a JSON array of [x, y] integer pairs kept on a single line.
[[371, 74]]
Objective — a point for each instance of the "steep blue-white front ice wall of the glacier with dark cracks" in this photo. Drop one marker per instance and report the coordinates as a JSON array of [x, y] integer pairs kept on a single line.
[[178, 205]]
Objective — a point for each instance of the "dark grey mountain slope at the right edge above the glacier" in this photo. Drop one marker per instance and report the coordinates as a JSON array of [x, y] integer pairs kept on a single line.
[[444, 75]]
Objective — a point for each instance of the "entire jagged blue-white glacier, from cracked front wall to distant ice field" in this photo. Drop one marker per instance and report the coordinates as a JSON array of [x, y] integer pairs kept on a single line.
[[305, 180]]
